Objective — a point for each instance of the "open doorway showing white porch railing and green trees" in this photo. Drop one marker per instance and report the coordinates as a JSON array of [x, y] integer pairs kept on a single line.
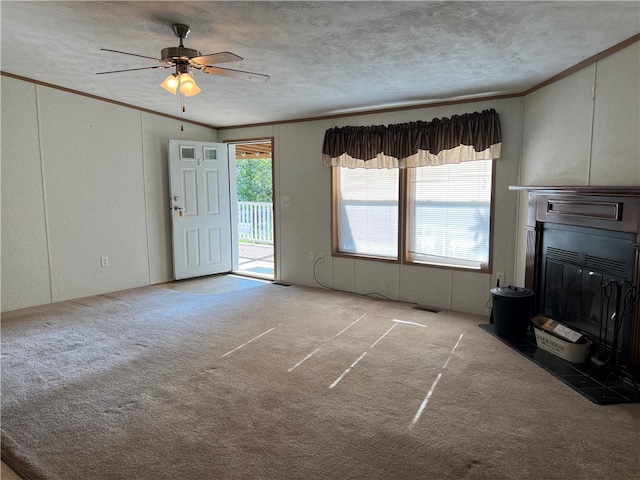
[[254, 187]]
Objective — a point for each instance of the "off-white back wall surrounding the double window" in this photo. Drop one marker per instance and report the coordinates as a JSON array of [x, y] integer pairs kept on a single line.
[[305, 226]]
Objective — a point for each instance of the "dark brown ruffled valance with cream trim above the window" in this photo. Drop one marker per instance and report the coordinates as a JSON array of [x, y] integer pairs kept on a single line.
[[461, 138]]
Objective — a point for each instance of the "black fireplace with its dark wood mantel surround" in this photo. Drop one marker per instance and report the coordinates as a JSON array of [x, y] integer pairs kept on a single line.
[[579, 239]]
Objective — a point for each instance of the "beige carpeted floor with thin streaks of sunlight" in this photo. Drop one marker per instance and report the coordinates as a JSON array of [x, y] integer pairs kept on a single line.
[[289, 383]]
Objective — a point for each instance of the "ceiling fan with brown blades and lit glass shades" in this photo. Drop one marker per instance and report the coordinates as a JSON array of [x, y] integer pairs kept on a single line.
[[183, 58]]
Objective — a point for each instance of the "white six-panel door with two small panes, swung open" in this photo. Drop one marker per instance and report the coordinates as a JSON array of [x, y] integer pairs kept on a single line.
[[201, 209]]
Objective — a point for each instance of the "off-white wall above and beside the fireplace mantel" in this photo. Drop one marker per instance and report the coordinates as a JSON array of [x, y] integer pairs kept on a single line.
[[583, 130]]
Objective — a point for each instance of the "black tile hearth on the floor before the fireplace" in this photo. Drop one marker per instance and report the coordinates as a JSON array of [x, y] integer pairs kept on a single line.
[[574, 375]]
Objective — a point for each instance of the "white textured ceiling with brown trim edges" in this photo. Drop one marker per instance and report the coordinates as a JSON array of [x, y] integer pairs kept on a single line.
[[324, 58]]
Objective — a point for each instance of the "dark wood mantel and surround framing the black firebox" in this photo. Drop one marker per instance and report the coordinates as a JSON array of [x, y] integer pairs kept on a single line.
[[613, 208]]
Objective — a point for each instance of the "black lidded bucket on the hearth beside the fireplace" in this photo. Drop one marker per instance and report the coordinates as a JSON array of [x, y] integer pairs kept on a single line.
[[511, 311]]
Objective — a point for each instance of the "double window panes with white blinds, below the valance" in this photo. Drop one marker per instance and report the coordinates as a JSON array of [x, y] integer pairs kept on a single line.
[[447, 214]]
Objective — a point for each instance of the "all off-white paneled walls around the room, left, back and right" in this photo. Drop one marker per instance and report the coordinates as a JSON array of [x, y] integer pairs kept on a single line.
[[83, 179]]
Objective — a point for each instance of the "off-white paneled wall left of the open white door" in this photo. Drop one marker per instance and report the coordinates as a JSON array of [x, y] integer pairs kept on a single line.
[[82, 179]]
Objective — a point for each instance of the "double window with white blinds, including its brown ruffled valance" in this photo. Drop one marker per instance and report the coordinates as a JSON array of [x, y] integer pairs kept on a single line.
[[417, 193]]
